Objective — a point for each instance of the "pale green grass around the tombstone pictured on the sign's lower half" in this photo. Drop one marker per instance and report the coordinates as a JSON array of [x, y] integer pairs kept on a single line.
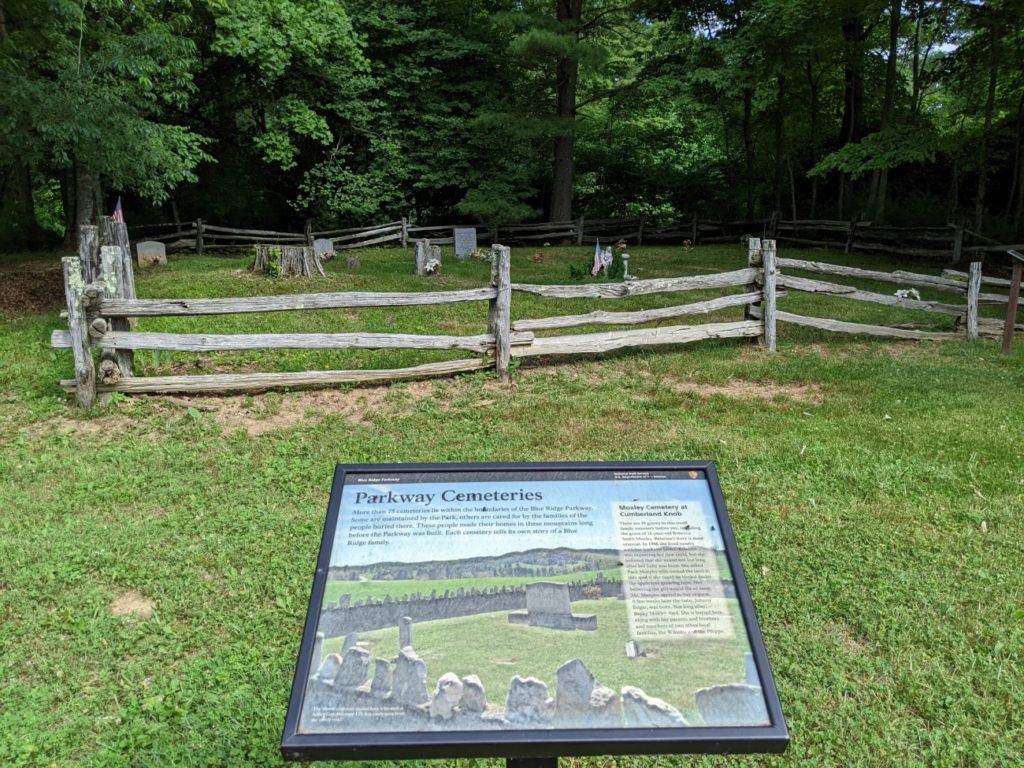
[[487, 646]]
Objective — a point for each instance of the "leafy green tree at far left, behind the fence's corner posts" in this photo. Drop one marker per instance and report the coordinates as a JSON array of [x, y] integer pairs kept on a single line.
[[88, 87]]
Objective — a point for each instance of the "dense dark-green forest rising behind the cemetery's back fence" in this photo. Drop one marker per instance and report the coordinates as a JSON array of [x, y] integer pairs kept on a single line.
[[269, 113]]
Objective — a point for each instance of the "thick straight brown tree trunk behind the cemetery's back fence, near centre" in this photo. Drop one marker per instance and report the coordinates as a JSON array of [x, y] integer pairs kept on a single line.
[[568, 70]]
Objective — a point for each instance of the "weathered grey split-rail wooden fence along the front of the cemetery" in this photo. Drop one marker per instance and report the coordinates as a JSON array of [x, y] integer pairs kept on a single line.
[[101, 307]]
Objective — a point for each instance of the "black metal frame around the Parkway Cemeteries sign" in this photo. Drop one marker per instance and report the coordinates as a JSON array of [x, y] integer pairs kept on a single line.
[[531, 743]]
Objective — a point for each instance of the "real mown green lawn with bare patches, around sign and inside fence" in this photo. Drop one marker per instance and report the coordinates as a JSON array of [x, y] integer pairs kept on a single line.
[[876, 490]]
